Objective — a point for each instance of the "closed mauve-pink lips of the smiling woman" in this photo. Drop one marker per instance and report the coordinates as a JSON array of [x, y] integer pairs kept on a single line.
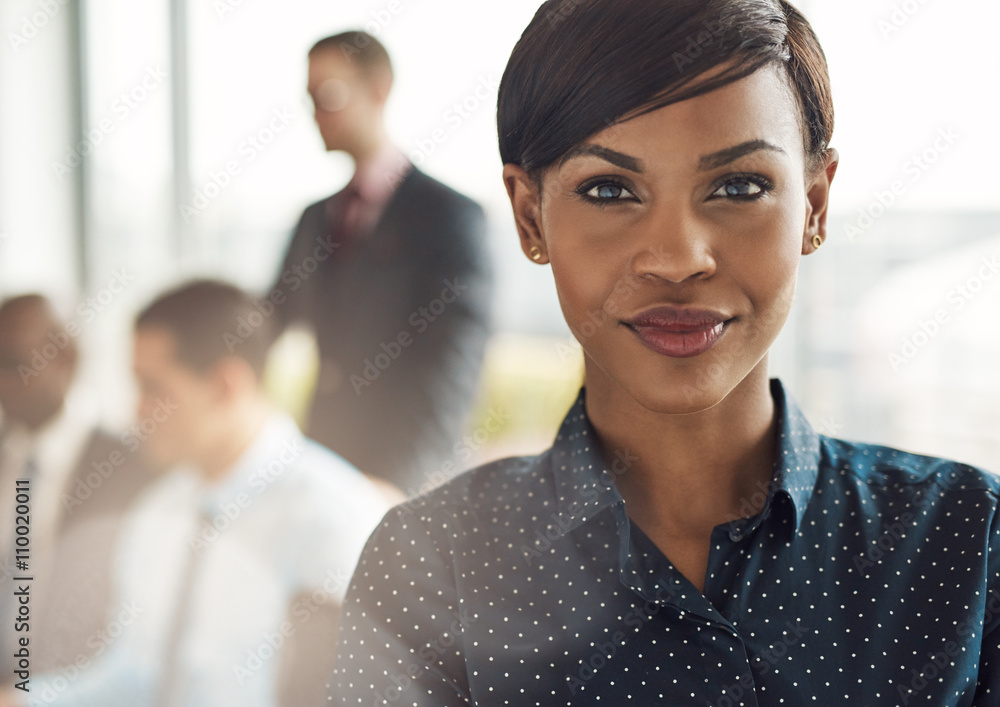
[[679, 333]]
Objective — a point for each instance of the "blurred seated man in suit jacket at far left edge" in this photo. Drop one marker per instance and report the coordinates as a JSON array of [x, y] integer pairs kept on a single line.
[[78, 480]]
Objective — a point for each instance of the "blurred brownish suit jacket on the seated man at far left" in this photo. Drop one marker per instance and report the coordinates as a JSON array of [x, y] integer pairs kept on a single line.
[[73, 603]]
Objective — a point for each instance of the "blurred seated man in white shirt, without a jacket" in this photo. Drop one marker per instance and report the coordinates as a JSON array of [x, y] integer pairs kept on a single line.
[[232, 566]]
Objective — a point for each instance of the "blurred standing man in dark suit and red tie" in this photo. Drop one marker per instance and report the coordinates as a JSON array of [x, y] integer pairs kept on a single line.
[[393, 275]]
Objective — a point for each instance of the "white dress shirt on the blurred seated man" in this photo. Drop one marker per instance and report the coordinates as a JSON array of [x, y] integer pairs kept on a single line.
[[289, 517]]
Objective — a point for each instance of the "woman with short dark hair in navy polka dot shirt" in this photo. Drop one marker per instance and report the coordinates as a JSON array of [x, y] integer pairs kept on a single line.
[[688, 539]]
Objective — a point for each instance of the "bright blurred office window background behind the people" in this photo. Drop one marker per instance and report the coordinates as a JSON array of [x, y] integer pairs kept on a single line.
[[114, 115]]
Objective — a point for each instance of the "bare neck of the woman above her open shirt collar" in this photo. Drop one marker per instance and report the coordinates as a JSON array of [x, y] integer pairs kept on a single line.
[[688, 472]]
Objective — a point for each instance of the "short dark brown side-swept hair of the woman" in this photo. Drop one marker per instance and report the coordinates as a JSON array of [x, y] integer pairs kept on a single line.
[[583, 65]]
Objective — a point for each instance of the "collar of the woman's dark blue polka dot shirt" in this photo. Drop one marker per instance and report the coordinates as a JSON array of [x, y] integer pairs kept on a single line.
[[585, 483]]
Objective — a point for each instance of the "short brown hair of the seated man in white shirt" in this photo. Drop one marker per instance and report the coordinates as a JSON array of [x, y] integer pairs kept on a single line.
[[211, 320]]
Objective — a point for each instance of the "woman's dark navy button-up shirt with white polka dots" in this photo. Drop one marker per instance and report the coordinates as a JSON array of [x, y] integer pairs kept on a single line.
[[871, 577]]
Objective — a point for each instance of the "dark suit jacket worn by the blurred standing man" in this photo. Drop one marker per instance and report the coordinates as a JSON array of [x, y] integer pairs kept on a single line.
[[401, 320]]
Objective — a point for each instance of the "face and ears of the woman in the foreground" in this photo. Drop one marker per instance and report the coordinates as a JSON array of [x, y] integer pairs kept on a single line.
[[675, 239]]
